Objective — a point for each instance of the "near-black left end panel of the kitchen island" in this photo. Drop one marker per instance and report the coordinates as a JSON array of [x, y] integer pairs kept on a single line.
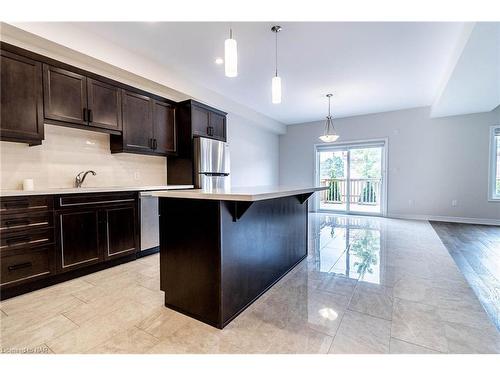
[[190, 257]]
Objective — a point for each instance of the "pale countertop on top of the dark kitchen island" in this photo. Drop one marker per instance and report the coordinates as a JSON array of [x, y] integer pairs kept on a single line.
[[248, 194]]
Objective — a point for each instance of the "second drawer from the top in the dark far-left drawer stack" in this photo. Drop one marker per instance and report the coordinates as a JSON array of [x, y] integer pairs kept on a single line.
[[25, 221]]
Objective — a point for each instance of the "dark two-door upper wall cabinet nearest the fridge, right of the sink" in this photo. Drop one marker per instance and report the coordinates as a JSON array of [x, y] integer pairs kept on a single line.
[[149, 126]]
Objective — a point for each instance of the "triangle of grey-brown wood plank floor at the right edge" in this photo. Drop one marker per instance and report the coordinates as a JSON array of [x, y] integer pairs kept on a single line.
[[476, 251]]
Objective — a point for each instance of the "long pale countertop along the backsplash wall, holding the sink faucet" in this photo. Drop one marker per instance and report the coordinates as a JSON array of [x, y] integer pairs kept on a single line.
[[49, 191]]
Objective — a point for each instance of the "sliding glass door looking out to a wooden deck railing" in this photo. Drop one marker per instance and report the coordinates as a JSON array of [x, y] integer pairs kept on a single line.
[[354, 175]]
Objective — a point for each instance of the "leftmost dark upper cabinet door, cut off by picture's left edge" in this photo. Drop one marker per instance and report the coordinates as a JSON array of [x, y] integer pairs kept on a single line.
[[21, 117]]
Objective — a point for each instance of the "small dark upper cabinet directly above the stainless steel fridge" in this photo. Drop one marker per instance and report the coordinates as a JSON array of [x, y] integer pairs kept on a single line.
[[197, 119]]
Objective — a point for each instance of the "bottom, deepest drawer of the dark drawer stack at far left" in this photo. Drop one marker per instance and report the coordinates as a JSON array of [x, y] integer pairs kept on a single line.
[[26, 265]]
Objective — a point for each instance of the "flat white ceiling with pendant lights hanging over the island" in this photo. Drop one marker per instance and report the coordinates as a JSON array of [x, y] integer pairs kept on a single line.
[[369, 67]]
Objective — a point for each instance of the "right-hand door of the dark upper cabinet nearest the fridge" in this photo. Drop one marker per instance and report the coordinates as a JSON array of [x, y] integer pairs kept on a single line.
[[165, 128]]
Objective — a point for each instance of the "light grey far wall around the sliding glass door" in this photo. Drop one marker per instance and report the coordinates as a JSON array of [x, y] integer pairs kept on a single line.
[[430, 161]]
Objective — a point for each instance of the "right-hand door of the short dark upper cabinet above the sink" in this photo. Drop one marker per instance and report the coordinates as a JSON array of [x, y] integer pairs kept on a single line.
[[104, 104]]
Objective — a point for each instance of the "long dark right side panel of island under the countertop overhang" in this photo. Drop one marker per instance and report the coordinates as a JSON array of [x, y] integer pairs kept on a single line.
[[267, 241]]
